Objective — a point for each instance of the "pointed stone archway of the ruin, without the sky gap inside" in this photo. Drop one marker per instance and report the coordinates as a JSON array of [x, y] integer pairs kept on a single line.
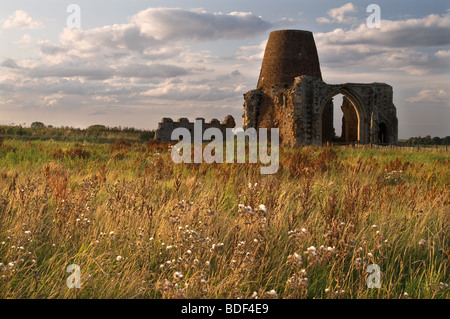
[[356, 104]]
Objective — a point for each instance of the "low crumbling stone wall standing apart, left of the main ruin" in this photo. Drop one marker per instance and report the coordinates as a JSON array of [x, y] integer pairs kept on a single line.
[[167, 125]]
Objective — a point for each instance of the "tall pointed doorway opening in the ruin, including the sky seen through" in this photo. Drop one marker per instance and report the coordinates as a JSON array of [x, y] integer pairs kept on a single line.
[[343, 104]]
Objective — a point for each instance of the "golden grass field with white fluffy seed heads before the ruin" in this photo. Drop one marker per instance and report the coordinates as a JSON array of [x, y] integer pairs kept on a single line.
[[139, 226]]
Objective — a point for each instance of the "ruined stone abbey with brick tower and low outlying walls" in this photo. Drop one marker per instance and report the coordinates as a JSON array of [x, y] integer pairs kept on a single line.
[[292, 97]]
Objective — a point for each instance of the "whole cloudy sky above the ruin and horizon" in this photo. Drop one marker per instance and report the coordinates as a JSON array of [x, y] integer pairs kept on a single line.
[[131, 63]]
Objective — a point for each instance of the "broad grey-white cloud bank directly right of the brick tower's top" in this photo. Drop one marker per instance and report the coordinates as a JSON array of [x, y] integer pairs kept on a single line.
[[408, 45]]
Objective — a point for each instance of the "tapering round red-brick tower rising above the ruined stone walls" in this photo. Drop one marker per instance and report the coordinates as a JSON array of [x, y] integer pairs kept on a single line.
[[289, 53]]
